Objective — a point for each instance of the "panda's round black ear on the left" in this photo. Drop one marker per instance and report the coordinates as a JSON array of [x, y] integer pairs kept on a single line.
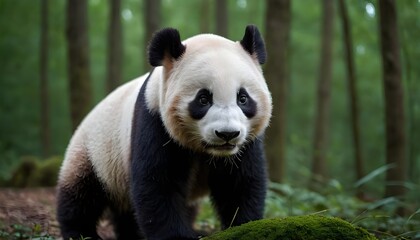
[[165, 44]]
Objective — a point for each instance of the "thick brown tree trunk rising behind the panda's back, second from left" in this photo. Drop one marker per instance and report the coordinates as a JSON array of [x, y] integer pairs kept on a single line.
[[78, 60]]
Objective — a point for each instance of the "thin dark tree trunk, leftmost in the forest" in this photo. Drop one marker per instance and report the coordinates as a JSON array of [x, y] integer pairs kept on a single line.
[[45, 101]]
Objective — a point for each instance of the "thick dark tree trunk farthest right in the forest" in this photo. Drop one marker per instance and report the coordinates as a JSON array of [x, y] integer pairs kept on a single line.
[[394, 100]]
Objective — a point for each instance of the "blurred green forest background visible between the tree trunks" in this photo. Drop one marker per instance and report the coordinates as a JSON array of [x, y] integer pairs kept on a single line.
[[20, 136]]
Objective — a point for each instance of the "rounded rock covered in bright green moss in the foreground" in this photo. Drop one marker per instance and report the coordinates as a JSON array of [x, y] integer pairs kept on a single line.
[[297, 228]]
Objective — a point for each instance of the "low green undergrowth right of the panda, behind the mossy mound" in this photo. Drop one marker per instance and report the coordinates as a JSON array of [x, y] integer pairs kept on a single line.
[[376, 216]]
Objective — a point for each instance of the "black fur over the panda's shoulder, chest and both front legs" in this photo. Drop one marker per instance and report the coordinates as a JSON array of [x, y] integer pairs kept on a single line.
[[161, 170]]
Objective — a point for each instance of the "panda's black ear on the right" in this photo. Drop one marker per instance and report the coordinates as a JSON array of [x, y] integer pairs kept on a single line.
[[253, 43]]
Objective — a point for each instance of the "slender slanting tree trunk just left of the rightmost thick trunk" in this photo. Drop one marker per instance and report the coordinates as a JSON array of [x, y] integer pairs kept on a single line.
[[351, 79]]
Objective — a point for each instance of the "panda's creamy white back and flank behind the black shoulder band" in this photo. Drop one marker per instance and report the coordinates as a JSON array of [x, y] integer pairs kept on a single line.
[[104, 138]]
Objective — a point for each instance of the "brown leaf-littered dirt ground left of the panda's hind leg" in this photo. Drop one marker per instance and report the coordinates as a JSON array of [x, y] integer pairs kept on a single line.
[[35, 206]]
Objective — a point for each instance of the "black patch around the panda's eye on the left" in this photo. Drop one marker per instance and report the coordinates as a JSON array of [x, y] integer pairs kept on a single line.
[[201, 104]]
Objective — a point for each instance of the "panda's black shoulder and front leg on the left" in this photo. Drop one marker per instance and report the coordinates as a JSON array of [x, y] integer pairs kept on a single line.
[[160, 171]]
